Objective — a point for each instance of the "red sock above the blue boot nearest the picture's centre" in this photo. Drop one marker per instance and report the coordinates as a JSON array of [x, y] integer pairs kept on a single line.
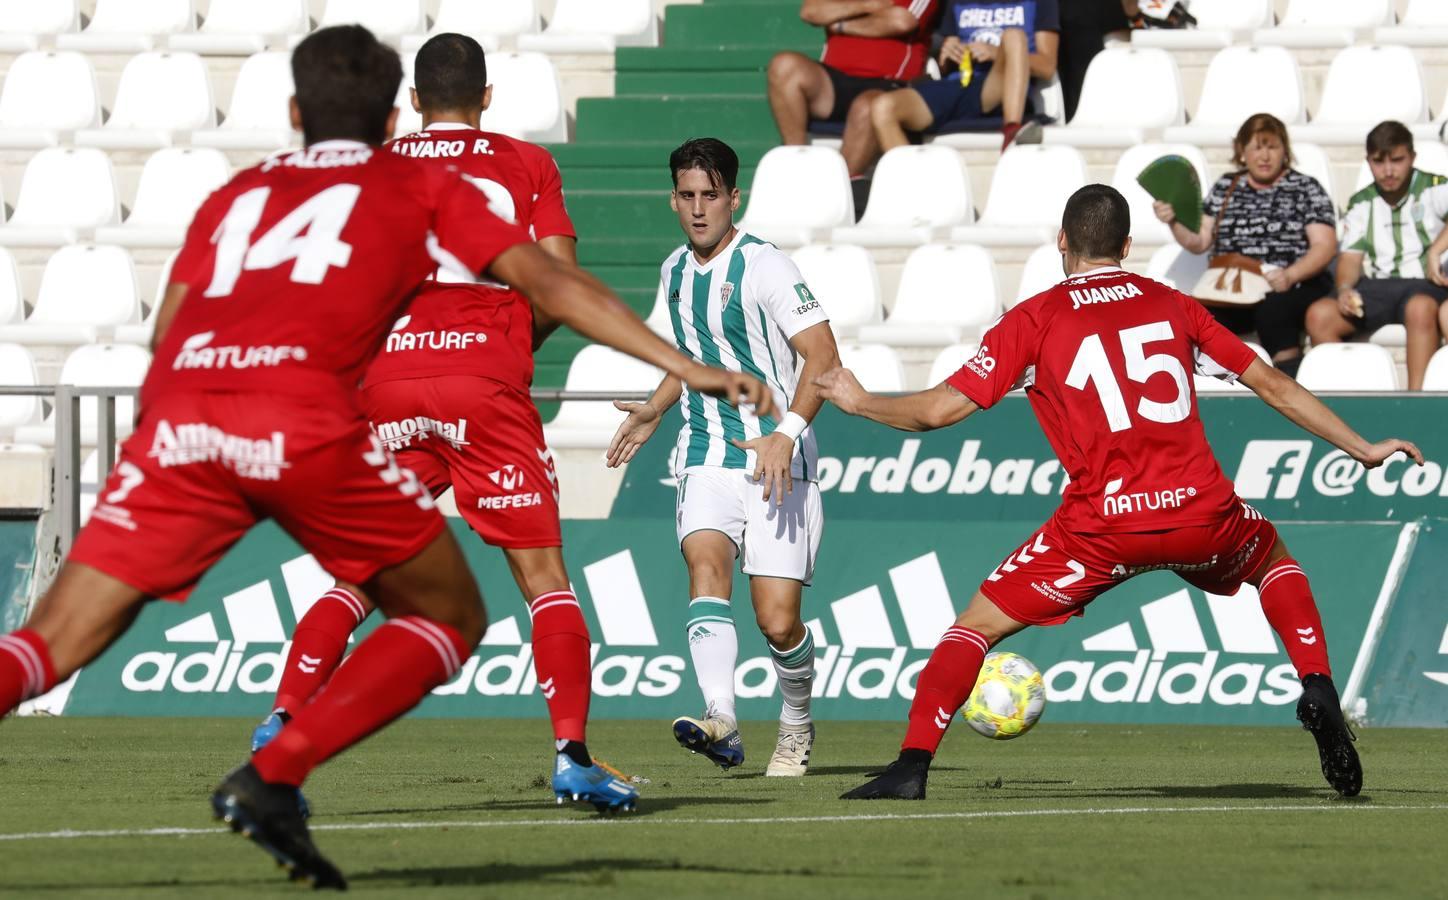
[[561, 659]]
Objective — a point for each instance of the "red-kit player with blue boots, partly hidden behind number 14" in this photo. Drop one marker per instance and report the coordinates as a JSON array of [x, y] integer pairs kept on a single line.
[[448, 394]]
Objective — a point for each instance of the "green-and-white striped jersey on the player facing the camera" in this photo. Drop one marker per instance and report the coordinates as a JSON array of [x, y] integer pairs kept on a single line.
[[739, 312]]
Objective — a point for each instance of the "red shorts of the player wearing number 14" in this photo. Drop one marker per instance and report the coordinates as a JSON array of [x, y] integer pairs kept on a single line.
[[203, 468]]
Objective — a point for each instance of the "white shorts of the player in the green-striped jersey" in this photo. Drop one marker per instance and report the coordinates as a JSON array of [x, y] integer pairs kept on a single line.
[[775, 542]]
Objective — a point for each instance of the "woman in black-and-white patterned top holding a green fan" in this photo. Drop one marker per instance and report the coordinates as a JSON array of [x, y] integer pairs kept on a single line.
[[1278, 216]]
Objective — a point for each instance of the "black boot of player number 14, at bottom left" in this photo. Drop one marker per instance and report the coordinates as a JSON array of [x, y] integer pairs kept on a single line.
[[270, 815]]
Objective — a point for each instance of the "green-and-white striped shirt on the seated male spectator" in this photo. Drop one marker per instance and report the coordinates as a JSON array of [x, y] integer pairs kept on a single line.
[[1395, 241]]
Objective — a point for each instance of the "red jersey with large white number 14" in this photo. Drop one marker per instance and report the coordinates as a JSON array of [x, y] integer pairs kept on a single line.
[[299, 266]]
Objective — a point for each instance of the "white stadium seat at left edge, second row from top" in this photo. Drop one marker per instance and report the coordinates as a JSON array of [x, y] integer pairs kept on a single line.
[[46, 95]]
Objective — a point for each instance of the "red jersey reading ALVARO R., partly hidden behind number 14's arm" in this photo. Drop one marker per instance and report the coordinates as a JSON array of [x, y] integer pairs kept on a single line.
[[460, 326]]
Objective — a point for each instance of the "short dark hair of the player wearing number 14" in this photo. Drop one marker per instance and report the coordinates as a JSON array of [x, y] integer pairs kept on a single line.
[[345, 83]]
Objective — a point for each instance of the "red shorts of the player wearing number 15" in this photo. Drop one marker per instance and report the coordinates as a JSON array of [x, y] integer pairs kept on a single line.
[[1056, 574]]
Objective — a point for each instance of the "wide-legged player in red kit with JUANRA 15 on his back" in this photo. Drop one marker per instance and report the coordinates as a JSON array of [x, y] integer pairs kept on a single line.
[[1106, 360]]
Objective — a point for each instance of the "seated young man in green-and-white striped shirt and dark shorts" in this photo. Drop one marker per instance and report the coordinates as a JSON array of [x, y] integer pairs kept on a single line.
[[1382, 274]]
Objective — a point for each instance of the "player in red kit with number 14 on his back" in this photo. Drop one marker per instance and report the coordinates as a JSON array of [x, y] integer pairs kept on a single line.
[[285, 289]]
